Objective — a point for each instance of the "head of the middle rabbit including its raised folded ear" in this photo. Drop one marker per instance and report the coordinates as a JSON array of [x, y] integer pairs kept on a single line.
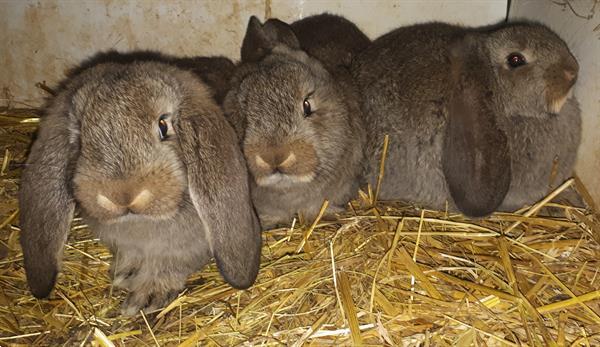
[[298, 122]]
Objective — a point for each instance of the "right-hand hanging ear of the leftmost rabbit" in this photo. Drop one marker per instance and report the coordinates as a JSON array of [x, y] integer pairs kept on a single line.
[[218, 186]]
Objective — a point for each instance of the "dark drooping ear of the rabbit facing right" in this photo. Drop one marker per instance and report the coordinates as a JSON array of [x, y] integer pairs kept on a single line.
[[476, 157]]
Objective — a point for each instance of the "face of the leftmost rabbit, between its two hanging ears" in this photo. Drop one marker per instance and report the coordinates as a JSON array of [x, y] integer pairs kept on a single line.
[[128, 165]]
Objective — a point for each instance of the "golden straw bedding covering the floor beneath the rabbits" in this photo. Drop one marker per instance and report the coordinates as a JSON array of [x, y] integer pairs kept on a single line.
[[390, 275]]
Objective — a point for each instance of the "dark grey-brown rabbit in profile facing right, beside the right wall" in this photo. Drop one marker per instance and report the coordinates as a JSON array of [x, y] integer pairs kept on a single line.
[[481, 118]]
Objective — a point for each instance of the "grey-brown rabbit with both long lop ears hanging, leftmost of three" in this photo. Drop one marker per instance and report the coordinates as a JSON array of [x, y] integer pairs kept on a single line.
[[156, 171]]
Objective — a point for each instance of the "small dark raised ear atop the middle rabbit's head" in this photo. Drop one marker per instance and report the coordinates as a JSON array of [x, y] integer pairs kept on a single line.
[[261, 38]]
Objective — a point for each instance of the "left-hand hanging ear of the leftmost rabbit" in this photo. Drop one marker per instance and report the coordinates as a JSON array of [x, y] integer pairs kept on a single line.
[[45, 200]]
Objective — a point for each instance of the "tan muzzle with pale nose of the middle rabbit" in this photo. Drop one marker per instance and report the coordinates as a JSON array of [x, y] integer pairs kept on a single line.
[[287, 164]]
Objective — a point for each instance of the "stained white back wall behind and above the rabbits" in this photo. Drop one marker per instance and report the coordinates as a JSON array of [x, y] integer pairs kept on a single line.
[[41, 39]]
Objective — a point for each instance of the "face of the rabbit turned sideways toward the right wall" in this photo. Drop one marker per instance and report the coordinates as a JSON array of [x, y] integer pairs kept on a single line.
[[534, 69]]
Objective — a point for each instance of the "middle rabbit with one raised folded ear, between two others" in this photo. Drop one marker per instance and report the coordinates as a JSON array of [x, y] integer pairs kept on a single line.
[[299, 124]]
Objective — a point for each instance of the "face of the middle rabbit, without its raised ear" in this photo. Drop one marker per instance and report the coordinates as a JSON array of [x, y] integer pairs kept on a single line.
[[297, 122]]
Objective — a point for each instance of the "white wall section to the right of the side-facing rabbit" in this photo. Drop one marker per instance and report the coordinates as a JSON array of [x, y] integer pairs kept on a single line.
[[579, 26]]
